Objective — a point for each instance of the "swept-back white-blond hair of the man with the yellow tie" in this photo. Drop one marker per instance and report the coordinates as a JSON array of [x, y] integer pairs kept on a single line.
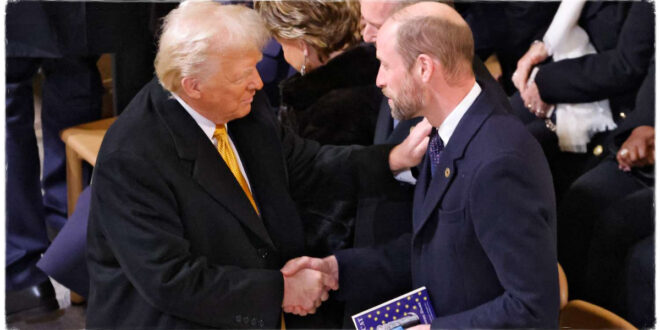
[[197, 30]]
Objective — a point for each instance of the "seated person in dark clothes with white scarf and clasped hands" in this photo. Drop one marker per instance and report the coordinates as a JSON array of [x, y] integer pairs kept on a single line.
[[622, 35]]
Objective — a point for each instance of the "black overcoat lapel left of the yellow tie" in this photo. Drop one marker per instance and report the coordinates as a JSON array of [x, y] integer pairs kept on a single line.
[[208, 168]]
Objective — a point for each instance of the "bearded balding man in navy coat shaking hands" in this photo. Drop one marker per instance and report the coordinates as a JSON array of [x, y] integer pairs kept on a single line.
[[483, 233]]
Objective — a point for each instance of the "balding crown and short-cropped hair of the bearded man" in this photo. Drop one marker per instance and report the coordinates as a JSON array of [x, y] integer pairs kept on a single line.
[[434, 29]]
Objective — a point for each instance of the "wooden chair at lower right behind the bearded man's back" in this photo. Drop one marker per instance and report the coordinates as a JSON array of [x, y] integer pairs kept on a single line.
[[579, 314]]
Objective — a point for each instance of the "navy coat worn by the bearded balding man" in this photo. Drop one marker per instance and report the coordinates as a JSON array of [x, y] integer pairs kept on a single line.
[[483, 236]]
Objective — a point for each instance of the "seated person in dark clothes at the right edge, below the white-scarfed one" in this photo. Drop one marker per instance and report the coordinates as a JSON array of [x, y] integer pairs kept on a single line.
[[609, 208]]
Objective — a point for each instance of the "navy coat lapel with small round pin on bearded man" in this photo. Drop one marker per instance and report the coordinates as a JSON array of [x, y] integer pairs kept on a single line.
[[455, 149]]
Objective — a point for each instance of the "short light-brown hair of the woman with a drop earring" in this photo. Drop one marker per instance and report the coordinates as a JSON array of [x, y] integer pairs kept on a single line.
[[328, 26]]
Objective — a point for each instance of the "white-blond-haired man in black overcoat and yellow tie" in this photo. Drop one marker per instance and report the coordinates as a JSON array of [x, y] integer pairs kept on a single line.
[[192, 212]]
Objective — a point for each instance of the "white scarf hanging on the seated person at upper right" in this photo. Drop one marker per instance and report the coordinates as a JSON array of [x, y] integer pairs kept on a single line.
[[578, 122]]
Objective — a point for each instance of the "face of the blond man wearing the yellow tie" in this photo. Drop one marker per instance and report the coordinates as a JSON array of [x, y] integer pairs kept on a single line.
[[227, 93]]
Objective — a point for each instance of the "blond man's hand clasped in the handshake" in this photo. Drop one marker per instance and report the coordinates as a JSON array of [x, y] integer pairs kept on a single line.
[[305, 289]]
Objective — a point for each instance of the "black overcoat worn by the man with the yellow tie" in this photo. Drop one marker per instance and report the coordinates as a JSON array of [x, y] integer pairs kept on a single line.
[[174, 243]]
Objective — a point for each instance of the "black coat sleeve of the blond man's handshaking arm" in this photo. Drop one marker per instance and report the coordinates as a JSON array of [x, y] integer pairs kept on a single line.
[[135, 214]]
